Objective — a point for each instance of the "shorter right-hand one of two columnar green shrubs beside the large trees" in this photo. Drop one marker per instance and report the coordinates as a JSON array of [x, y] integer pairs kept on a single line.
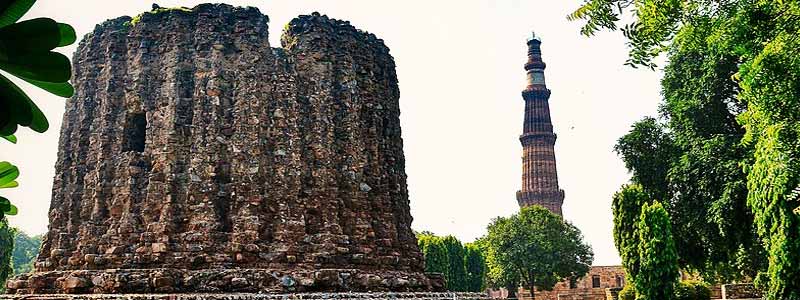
[[658, 260]]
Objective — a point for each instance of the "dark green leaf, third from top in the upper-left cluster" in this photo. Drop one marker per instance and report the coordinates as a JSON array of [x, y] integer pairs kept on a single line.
[[49, 66]]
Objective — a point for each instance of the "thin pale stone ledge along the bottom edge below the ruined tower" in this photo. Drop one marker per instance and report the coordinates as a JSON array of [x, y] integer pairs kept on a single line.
[[250, 296]]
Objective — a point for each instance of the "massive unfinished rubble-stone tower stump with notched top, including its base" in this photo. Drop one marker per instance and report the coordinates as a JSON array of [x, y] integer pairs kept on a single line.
[[195, 157]]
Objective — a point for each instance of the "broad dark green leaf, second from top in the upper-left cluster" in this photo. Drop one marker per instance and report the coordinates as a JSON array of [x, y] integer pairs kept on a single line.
[[36, 35]]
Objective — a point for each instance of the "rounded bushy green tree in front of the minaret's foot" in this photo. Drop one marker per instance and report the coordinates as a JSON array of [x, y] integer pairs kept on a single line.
[[536, 249]]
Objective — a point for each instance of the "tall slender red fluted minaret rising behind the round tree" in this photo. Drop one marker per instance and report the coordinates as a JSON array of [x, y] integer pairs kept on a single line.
[[539, 178]]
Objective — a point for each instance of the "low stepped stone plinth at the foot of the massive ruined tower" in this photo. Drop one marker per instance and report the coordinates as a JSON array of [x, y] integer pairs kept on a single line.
[[274, 281]]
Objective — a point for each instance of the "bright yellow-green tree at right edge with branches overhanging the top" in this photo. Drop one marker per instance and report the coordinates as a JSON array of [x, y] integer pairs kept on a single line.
[[756, 40]]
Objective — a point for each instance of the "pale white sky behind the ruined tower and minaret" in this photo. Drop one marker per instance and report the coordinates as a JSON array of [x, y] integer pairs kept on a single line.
[[460, 67]]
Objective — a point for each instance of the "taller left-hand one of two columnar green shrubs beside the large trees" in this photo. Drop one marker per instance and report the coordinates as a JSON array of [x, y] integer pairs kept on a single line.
[[627, 209]]
